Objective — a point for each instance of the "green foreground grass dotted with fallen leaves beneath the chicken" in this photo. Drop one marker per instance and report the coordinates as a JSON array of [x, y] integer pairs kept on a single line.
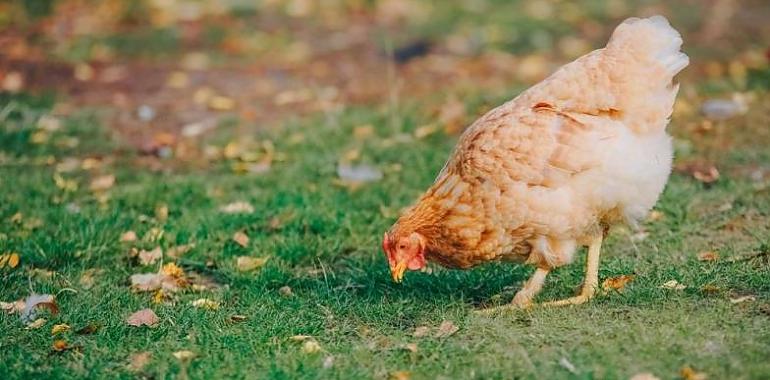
[[325, 247]]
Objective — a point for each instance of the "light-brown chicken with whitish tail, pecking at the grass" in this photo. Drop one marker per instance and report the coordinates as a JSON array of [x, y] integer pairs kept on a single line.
[[551, 170]]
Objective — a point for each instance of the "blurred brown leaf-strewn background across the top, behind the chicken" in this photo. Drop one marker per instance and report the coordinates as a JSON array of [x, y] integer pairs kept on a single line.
[[167, 71]]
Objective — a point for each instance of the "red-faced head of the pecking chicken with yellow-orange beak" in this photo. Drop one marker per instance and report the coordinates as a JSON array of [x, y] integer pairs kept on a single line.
[[404, 252]]
